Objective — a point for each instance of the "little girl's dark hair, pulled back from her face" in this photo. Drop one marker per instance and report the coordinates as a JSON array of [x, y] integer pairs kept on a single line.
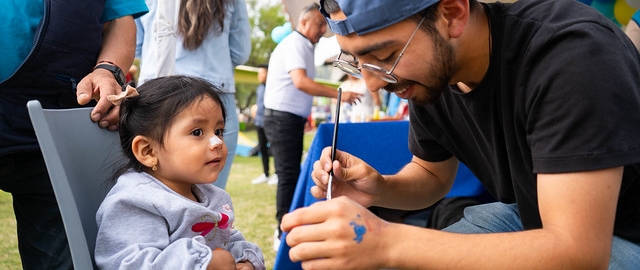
[[151, 113]]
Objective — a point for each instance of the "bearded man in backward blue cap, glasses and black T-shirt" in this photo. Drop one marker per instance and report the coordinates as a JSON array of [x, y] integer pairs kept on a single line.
[[540, 99]]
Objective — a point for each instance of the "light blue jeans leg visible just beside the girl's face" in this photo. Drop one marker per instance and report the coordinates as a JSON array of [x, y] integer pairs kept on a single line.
[[230, 137]]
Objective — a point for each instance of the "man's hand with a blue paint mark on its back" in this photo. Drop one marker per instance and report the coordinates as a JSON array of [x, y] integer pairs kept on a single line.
[[337, 234]]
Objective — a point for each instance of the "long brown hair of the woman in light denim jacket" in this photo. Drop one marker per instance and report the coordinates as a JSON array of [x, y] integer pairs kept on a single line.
[[197, 17]]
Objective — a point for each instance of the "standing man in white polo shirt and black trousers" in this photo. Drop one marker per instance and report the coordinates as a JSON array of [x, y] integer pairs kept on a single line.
[[288, 100]]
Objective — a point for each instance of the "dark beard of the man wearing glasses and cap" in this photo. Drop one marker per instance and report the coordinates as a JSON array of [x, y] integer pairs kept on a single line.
[[441, 68]]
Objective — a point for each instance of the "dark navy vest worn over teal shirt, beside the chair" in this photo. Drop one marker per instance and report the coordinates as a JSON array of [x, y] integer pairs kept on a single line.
[[64, 51]]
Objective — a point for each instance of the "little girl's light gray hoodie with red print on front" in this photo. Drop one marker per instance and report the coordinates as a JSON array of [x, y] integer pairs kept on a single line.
[[143, 224]]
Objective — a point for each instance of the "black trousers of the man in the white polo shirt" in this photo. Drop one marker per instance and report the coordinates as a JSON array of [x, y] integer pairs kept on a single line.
[[285, 132]]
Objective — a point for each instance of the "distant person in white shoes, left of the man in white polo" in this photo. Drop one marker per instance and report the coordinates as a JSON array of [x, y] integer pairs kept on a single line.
[[263, 143]]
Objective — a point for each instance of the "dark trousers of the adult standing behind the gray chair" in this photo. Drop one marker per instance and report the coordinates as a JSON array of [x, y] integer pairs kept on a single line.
[[41, 236]]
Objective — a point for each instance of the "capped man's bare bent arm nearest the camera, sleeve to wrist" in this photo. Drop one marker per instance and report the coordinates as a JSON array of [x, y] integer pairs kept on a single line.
[[577, 211]]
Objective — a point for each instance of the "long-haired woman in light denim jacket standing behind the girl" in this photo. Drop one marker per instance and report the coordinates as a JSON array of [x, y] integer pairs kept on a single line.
[[214, 38]]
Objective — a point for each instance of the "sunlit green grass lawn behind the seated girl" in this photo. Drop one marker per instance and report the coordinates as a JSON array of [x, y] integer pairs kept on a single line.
[[254, 208]]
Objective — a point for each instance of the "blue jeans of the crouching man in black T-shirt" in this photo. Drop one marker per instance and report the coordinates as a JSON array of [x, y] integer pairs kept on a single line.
[[500, 217]]
